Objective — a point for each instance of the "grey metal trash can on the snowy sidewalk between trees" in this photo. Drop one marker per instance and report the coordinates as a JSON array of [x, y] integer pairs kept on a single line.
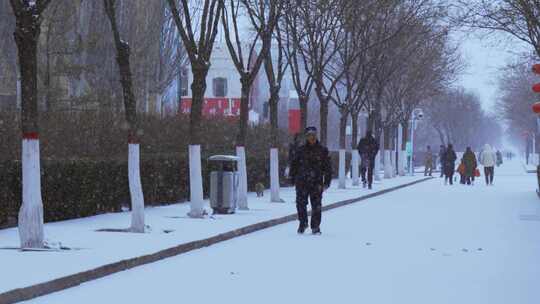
[[224, 183]]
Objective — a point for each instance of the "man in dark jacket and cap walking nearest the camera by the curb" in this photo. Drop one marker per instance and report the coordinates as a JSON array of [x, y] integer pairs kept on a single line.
[[311, 172]]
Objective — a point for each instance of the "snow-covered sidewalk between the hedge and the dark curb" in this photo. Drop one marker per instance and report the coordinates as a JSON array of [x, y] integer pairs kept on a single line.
[[22, 269]]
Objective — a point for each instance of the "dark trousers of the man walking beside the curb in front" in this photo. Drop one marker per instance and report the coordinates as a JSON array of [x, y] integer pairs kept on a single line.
[[314, 194]]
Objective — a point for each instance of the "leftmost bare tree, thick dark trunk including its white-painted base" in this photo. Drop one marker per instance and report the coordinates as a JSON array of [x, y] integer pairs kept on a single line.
[[28, 15]]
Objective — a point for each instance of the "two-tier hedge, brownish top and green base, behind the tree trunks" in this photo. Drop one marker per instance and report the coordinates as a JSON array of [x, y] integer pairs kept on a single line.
[[84, 161]]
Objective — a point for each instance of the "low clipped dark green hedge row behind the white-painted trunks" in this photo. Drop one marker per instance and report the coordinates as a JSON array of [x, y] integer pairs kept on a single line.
[[81, 188]]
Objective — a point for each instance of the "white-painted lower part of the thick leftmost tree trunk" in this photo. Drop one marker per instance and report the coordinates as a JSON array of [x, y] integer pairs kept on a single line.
[[31, 212]]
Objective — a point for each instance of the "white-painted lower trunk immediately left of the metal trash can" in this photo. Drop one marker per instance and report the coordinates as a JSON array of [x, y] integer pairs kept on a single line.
[[195, 182]]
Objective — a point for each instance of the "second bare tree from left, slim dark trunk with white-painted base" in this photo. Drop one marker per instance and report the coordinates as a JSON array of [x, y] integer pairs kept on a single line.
[[130, 105]]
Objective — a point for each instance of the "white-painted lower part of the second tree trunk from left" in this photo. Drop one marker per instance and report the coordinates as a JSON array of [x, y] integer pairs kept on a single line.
[[135, 188]]
